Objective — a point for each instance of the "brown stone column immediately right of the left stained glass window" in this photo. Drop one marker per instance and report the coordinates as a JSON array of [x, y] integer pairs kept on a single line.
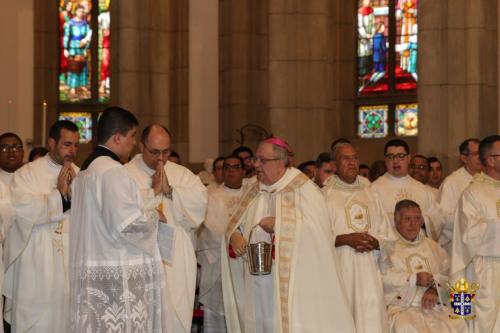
[[143, 59]]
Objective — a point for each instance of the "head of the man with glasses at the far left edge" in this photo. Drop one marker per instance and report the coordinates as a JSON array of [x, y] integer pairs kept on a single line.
[[11, 156]]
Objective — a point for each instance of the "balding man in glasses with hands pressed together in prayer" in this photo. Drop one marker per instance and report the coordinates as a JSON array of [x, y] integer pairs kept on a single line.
[[182, 198]]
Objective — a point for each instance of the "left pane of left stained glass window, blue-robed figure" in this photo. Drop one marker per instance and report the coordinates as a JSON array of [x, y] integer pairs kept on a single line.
[[75, 62]]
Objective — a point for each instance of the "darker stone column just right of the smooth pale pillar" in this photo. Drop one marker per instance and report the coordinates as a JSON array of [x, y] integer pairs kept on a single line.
[[243, 76]]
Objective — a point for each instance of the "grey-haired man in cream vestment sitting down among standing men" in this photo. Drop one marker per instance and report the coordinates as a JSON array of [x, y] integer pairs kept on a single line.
[[415, 273]]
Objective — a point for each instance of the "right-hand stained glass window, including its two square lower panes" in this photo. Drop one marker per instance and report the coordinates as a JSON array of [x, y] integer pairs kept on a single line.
[[386, 96]]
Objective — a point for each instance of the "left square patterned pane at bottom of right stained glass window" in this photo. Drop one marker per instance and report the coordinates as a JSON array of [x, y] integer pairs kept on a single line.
[[372, 121]]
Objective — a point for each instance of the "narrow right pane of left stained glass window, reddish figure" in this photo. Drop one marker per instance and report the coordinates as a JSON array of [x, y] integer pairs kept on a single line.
[[104, 55]]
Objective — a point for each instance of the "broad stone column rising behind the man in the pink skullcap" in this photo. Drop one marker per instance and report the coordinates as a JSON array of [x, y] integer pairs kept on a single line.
[[301, 74]]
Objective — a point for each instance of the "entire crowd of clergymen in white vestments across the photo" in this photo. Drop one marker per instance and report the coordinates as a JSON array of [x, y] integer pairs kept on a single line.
[[127, 243]]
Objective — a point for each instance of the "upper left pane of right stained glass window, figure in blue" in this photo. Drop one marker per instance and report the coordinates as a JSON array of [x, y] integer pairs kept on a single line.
[[373, 44]]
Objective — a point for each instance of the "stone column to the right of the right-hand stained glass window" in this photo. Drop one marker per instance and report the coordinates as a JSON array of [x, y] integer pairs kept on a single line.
[[458, 88]]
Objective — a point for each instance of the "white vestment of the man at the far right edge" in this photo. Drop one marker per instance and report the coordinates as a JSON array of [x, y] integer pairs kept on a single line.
[[476, 249]]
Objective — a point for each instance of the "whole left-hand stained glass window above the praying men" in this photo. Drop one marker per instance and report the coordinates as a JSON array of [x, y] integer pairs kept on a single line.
[[84, 61]]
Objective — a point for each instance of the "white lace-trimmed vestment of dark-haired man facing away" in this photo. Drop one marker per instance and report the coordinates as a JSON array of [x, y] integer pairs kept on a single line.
[[116, 275]]
